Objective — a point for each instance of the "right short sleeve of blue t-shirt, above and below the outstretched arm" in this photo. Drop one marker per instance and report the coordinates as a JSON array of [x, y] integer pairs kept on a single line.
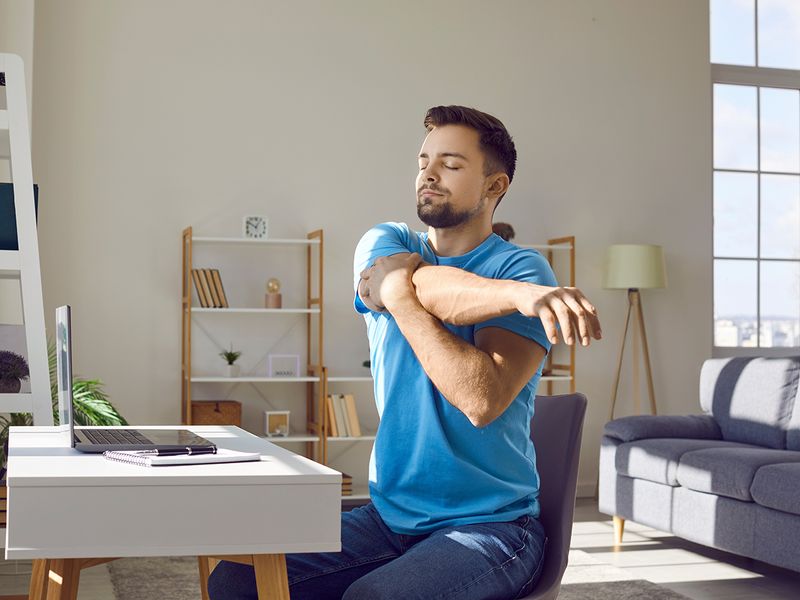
[[531, 267]]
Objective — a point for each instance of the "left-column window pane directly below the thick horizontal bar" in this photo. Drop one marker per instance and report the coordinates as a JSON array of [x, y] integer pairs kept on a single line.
[[735, 127]]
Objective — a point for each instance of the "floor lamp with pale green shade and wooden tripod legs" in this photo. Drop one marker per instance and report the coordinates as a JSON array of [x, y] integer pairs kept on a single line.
[[635, 267]]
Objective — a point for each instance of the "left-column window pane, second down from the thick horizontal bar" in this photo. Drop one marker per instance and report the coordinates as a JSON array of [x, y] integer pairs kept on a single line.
[[735, 215]]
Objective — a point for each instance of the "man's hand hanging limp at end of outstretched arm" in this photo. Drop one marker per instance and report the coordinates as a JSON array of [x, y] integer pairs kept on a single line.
[[567, 307]]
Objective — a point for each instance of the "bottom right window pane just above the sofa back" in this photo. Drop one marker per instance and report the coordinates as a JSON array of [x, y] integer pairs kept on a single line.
[[780, 304]]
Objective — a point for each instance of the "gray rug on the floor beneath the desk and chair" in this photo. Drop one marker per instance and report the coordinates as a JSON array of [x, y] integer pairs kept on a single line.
[[177, 579]]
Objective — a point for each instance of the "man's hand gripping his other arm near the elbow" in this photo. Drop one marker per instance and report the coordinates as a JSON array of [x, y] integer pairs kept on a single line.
[[388, 280]]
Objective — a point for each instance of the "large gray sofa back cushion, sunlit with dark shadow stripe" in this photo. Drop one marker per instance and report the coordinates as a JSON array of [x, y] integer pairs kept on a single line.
[[751, 398]]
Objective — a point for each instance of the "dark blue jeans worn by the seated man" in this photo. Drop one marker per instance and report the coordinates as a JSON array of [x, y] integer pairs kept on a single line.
[[470, 562]]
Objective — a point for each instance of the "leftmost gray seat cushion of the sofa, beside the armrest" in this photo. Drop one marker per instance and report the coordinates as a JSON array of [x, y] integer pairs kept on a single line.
[[657, 459]]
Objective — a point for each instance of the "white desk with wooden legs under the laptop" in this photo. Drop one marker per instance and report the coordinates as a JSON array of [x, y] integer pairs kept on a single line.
[[63, 504]]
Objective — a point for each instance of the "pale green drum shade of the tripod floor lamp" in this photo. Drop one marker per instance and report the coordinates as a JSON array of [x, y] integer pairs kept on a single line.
[[637, 266]]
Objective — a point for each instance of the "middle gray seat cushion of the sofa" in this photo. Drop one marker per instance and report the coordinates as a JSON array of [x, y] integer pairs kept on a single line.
[[728, 471]]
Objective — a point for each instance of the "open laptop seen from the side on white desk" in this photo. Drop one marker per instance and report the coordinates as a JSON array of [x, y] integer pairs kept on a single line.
[[96, 440]]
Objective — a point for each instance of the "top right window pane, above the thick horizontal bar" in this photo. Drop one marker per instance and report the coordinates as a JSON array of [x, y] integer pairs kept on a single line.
[[779, 34]]
